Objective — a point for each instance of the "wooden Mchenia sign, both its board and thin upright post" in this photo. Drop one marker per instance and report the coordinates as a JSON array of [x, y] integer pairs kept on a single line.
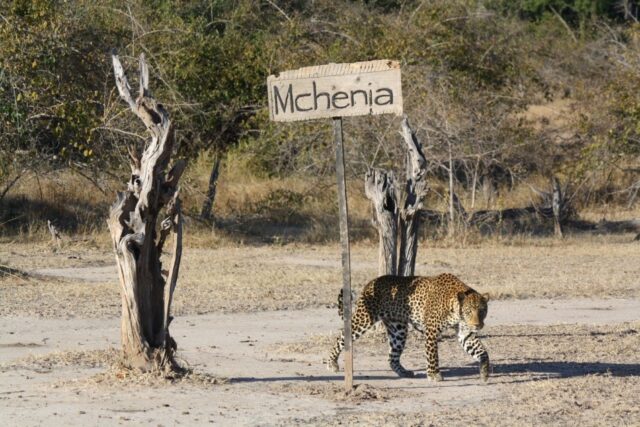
[[336, 91]]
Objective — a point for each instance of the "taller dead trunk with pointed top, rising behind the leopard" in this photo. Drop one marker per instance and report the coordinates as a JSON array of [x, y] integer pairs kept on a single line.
[[411, 202]]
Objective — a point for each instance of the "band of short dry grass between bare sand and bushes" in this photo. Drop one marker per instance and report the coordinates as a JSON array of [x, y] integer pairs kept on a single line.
[[249, 278]]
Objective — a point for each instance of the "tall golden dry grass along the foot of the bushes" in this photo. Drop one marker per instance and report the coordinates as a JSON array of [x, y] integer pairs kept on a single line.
[[248, 209]]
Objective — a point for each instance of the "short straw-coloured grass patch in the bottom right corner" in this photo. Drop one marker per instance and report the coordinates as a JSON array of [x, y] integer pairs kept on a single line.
[[592, 400]]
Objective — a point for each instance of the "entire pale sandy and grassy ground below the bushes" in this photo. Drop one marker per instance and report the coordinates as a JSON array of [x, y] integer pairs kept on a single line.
[[255, 323]]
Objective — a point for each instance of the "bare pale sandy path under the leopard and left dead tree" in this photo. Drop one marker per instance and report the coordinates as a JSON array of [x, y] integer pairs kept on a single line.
[[266, 387]]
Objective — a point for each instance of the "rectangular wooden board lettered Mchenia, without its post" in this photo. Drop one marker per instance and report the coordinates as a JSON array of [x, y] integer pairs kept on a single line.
[[336, 90]]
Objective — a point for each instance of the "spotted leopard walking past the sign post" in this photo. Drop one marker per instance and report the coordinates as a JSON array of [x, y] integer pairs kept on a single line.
[[429, 305]]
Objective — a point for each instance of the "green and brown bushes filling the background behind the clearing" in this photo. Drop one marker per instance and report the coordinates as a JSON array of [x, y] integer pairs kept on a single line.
[[517, 90]]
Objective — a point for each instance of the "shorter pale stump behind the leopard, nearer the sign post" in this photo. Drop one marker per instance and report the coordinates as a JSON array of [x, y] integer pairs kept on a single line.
[[379, 188]]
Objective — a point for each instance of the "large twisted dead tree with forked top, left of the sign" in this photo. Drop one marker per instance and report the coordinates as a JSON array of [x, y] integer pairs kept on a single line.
[[152, 195]]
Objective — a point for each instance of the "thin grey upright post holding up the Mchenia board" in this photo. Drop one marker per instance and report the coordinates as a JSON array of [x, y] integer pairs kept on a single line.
[[346, 260]]
